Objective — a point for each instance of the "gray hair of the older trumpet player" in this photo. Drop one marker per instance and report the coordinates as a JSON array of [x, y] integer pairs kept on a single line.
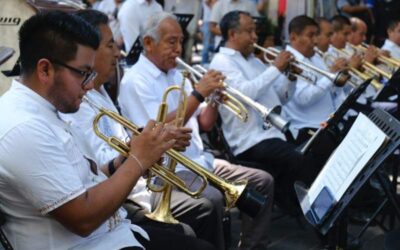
[[151, 26]]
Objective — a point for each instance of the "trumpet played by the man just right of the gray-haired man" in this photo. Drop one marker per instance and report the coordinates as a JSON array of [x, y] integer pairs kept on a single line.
[[339, 78]]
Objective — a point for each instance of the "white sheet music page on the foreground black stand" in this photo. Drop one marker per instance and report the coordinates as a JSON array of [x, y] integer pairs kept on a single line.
[[358, 147]]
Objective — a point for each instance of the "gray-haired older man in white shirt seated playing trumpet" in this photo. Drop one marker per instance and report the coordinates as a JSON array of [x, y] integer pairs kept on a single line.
[[141, 92]]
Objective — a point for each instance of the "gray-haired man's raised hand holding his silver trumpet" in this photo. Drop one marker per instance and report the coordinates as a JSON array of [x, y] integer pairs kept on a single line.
[[211, 81]]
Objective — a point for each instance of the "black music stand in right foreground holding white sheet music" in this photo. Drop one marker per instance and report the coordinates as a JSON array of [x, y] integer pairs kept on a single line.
[[336, 218]]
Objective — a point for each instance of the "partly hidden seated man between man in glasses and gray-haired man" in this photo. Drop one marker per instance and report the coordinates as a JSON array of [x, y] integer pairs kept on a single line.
[[198, 213]]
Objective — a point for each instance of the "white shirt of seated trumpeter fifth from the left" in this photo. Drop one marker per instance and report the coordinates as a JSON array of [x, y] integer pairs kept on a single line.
[[312, 103]]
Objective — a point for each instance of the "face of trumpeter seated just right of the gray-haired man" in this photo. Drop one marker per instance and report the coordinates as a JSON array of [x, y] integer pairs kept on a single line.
[[245, 36]]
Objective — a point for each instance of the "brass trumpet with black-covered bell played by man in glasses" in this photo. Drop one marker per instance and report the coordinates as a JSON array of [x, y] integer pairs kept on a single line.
[[236, 193]]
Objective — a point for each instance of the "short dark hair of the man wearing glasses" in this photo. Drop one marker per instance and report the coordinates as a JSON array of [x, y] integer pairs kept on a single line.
[[56, 35]]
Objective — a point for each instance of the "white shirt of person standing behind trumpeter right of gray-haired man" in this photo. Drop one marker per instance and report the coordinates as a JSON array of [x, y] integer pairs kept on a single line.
[[222, 7]]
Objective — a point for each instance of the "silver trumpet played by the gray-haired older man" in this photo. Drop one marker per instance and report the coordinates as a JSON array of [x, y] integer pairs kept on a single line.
[[270, 116]]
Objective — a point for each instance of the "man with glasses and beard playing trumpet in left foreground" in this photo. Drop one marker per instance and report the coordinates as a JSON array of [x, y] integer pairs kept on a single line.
[[53, 194]]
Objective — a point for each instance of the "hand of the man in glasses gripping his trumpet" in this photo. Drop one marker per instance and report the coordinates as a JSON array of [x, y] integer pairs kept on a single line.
[[151, 144]]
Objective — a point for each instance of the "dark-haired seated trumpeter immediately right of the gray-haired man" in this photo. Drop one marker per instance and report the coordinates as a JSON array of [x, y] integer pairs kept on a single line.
[[251, 141]]
